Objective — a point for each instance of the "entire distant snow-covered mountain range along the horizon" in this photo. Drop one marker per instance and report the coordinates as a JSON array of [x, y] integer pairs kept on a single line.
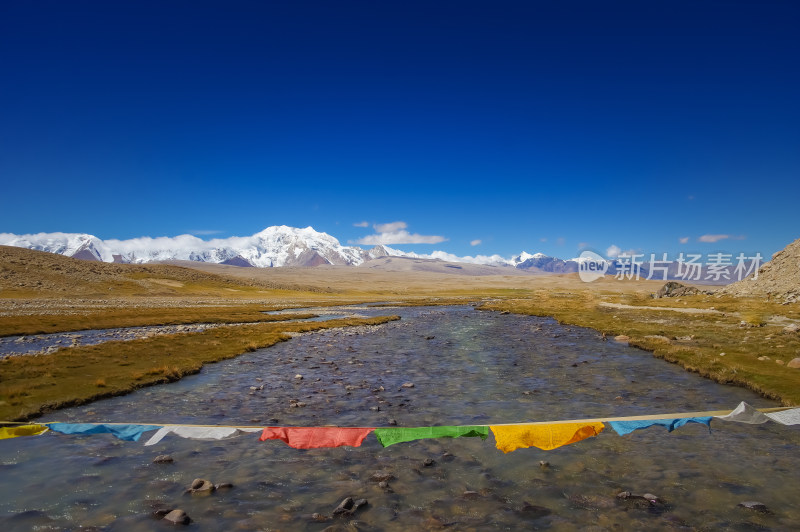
[[276, 246]]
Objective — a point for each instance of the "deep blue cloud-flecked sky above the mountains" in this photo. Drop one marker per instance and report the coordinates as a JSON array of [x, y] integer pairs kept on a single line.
[[543, 126]]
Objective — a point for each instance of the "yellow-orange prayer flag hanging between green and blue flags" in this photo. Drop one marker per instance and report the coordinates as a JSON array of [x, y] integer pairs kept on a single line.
[[544, 436]]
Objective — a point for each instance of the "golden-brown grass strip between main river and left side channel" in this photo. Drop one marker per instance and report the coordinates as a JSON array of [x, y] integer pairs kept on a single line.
[[33, 385]]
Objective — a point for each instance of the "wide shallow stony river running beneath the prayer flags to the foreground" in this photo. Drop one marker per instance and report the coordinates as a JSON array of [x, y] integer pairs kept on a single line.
[[468, 367]]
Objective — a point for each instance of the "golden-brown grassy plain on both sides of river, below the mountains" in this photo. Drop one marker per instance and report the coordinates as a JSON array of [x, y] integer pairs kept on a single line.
[[690, 331]]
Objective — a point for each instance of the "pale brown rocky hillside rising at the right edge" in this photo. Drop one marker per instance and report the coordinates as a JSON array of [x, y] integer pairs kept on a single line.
[[778, 279]]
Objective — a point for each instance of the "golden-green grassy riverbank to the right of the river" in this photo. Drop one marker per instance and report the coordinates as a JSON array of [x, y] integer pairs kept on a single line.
[[737, 341]]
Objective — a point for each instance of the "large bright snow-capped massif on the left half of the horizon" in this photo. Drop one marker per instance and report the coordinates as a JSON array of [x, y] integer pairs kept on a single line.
[[272, 247]]
